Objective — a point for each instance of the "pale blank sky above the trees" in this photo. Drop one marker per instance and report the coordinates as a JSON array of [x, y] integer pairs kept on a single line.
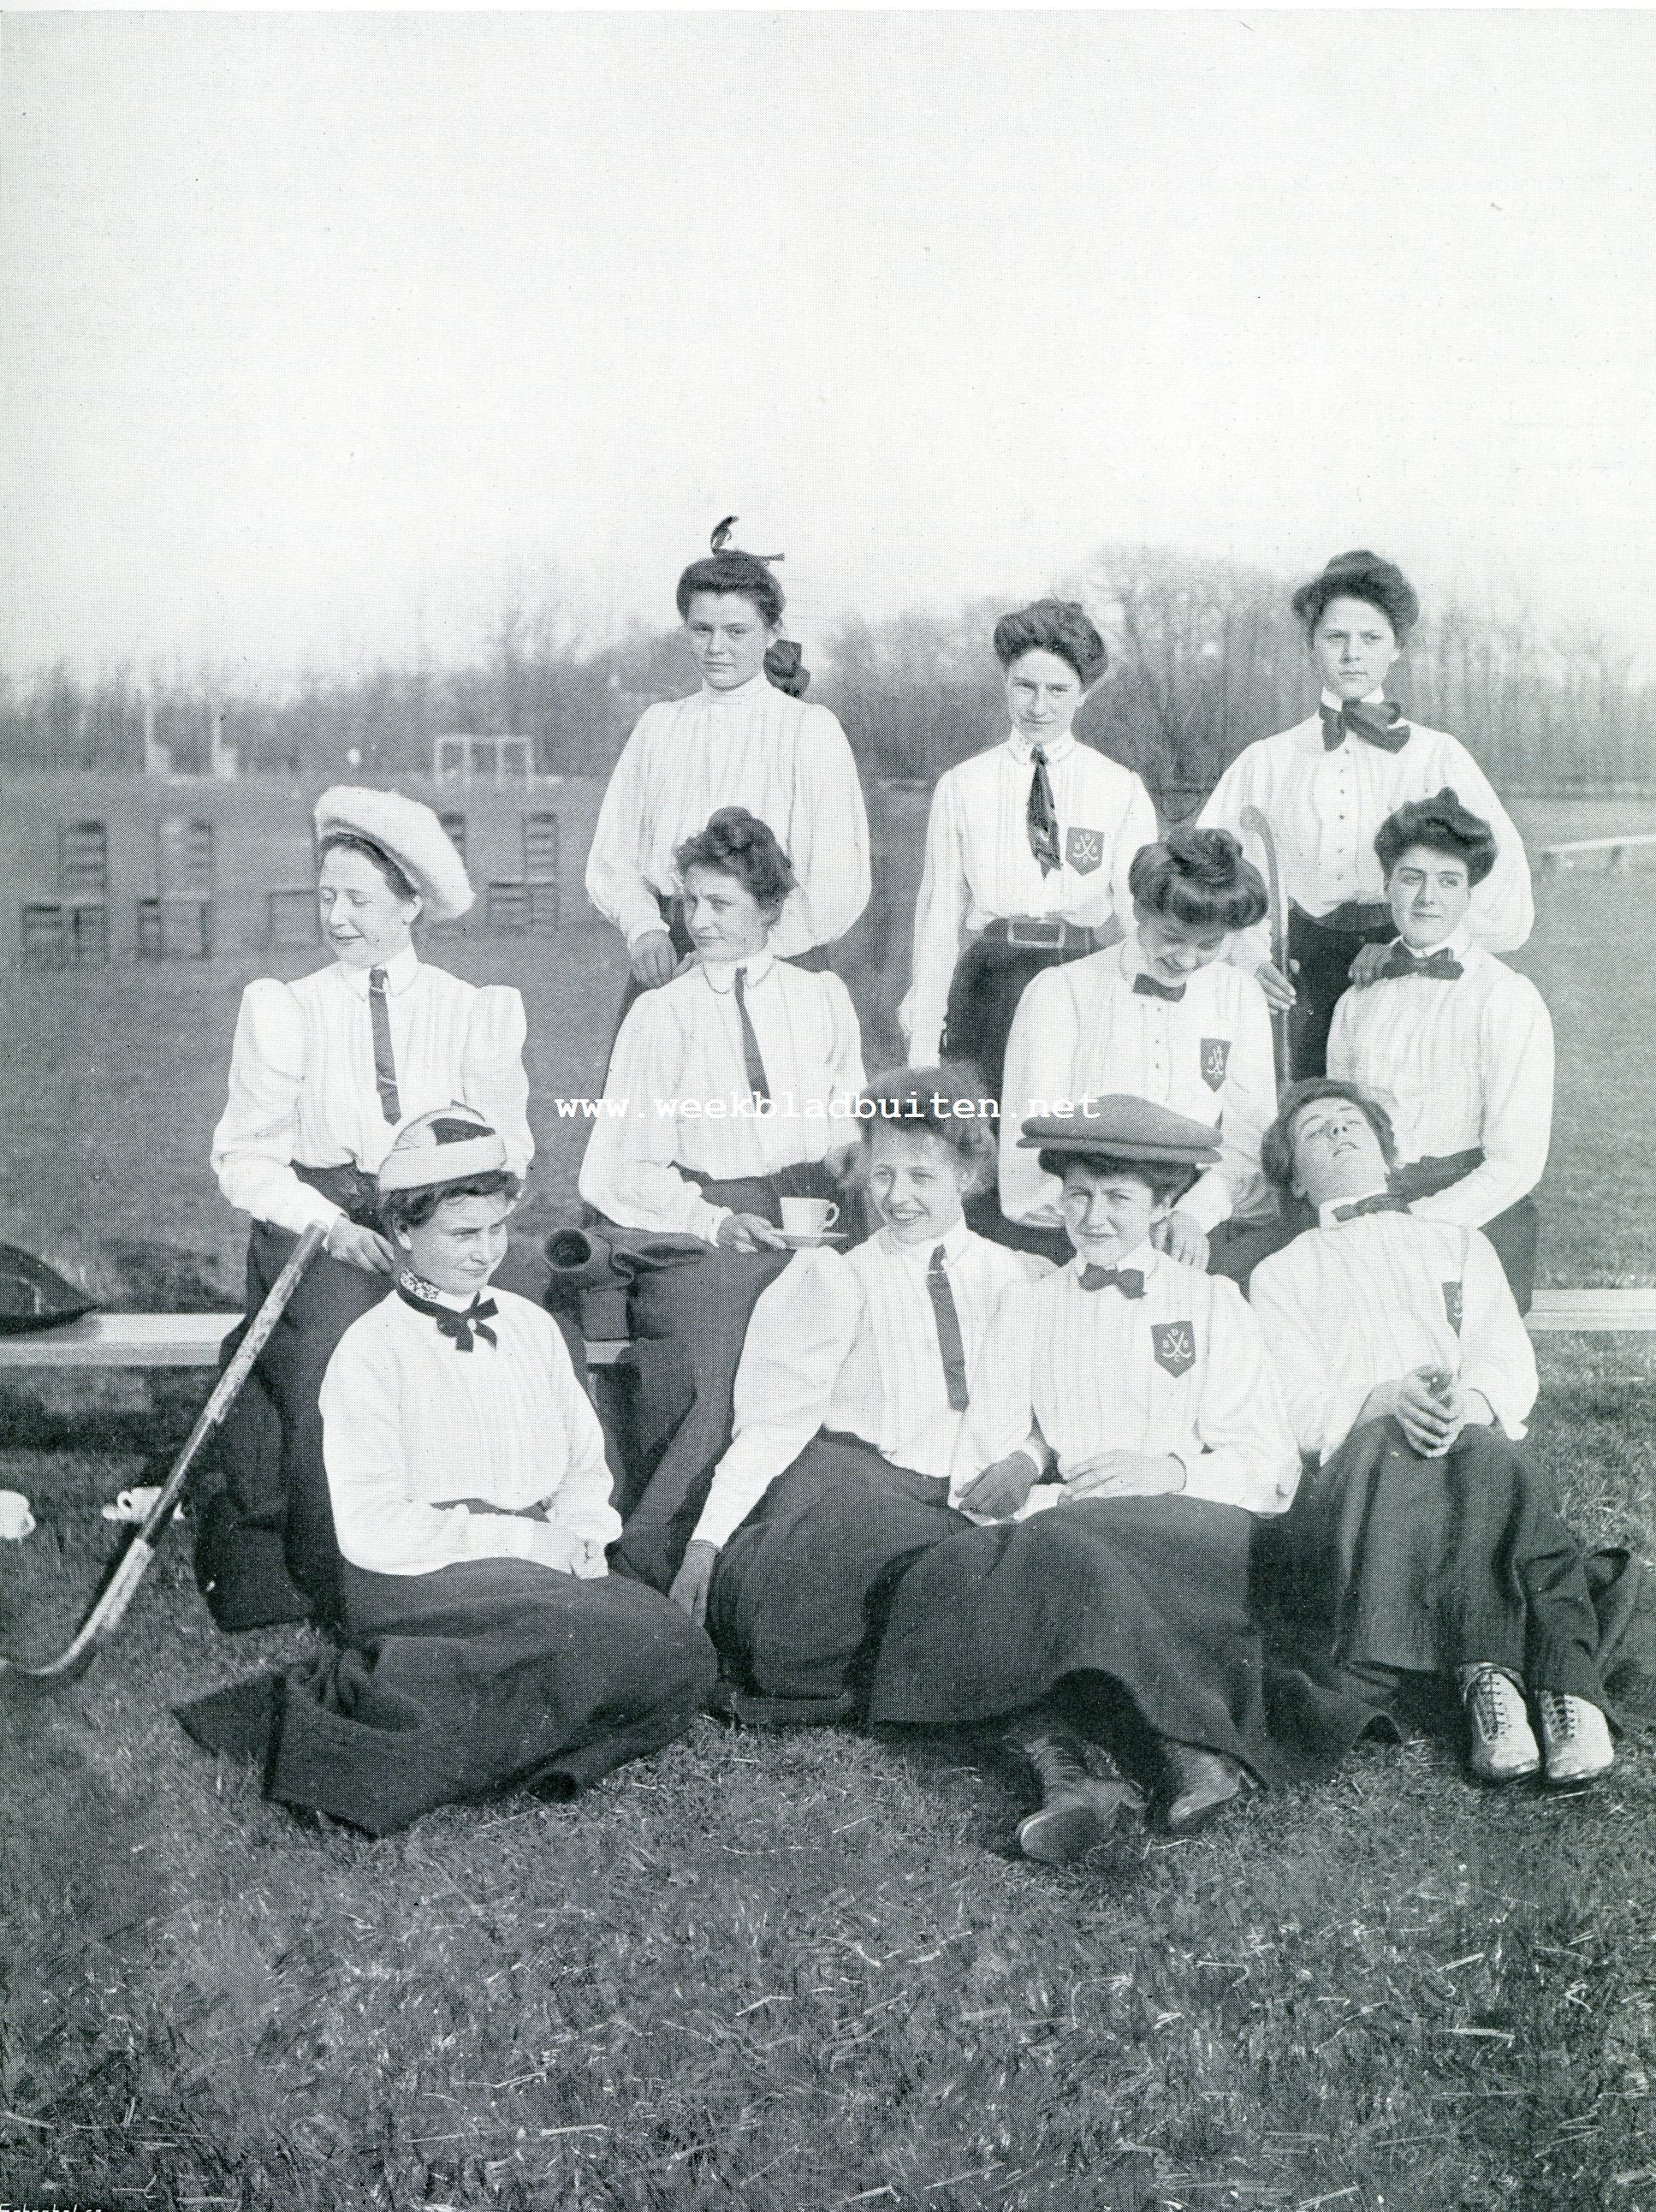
[[324, 337]]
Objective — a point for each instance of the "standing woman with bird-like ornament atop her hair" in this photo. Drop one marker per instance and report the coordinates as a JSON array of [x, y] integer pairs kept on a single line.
[[744, 740]]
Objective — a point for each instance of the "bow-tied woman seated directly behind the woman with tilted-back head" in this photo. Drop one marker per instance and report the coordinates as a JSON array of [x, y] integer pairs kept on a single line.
[[1454, 1043]]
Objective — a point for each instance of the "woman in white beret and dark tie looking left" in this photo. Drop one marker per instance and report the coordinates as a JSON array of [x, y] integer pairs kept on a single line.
[[324, 1074]]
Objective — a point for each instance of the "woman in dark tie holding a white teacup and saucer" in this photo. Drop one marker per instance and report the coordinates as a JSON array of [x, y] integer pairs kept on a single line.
[[731, 1089]]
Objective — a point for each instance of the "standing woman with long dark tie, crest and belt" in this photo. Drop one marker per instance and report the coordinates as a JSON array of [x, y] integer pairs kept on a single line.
[[1027, 853]]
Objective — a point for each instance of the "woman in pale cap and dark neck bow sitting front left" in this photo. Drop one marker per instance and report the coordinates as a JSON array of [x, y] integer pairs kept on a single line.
[[488, 1647]]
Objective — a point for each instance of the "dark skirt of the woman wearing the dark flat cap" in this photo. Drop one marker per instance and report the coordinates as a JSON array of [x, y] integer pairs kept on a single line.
[[1151, 1594]]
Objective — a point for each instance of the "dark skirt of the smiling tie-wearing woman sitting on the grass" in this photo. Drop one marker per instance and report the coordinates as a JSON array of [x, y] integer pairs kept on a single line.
[[804, 1587]]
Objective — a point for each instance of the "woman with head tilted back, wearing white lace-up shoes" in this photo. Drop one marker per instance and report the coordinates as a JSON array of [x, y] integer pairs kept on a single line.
[[1425, 1545]]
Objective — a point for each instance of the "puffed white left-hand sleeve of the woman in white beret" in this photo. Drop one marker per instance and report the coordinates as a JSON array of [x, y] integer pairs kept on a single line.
[[253, 1147]]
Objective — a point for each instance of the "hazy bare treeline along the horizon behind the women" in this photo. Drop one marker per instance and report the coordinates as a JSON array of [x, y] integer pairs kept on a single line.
[[1204, 658]]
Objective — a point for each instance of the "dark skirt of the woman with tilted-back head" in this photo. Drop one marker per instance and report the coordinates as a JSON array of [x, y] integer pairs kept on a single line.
[[1421, 1567]]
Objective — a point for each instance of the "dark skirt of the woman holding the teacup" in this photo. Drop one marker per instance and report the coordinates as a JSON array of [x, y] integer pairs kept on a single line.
[[689, 1328]]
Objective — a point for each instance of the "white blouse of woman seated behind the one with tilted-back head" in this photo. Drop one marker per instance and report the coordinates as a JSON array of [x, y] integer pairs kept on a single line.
[[1456, 1065]]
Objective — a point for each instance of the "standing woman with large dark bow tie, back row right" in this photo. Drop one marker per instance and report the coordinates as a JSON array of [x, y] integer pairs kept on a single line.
[[1325, 789]]
